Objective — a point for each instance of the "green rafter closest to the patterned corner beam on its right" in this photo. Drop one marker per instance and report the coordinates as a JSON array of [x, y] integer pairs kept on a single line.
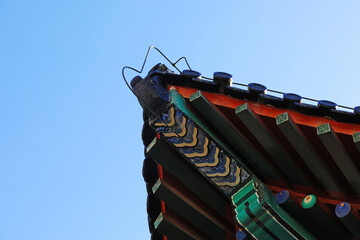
[[245, 149]]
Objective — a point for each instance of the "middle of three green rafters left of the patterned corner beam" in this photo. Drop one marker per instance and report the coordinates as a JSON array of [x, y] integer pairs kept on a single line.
[[189, 210]]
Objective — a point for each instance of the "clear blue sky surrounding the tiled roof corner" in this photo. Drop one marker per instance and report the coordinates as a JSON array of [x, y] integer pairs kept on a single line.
[[70, 131]]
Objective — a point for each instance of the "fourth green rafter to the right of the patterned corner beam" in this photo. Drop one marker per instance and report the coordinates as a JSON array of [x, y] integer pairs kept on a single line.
[[339, 154]]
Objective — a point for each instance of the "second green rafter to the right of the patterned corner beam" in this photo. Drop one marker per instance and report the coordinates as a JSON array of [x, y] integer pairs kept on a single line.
[[270, 144]]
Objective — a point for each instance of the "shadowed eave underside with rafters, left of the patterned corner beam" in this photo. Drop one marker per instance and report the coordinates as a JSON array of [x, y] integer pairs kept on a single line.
[[180, 201]]
